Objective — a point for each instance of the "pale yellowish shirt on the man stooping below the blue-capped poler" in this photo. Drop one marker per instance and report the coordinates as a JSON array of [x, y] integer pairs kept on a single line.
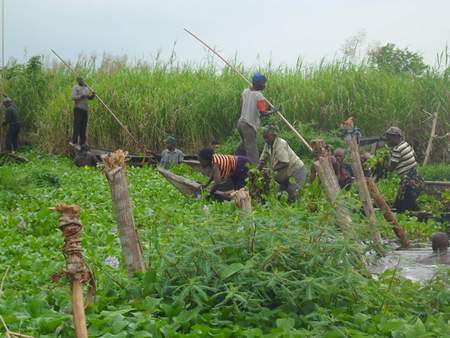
[[281, 152]]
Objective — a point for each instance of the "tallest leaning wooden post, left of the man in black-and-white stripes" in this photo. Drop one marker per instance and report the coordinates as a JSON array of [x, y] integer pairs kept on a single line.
[[350, 138]]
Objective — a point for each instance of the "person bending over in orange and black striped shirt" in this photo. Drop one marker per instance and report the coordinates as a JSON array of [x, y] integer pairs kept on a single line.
[[227, 171]]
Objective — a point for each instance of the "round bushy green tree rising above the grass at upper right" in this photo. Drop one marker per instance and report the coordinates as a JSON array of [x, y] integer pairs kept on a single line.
[[393, 59]]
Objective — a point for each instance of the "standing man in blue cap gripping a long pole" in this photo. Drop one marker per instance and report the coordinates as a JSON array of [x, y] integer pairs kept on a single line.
[[253, 105]]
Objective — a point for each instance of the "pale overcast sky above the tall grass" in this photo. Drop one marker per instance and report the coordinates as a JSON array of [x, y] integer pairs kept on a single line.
[[257, 31]]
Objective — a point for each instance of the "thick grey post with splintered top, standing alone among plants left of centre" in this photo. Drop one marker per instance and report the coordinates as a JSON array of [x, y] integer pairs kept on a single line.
[[131, 247]]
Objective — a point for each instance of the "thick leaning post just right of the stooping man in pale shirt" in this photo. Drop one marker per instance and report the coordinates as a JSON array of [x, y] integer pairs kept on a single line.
[[330, 183]]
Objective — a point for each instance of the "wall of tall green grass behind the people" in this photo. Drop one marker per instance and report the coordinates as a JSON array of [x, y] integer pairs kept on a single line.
[[199, 103]]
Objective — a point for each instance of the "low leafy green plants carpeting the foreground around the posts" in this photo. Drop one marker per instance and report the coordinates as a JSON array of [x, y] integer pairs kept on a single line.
[[303, 279]]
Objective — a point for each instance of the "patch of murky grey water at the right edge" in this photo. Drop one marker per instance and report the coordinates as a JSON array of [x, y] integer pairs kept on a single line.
[[408, 263]]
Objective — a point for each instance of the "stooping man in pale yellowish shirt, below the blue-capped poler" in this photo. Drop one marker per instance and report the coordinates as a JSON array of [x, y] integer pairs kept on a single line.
[[289, 170]]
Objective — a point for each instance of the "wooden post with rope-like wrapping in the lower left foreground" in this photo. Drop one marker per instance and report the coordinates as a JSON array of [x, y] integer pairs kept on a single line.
[[76, 269]]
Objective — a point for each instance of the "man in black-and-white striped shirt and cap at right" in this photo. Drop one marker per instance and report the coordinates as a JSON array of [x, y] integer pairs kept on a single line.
[[403, 160]]
